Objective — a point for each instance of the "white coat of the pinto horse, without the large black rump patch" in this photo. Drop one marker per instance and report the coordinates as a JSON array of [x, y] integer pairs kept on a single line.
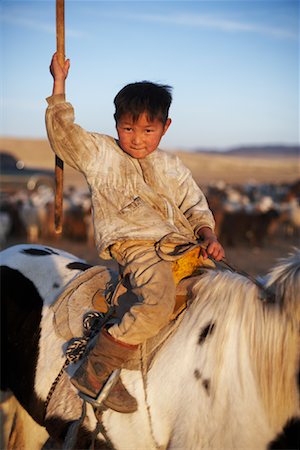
[[226, 378]]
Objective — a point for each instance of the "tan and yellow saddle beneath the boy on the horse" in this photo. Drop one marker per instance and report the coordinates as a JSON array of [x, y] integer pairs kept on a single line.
[[98, 287]]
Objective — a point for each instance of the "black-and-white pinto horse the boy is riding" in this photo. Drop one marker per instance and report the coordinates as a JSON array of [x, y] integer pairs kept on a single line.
[[223, 376]]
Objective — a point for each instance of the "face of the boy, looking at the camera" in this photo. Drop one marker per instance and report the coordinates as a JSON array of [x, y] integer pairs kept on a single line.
[[142, 137]]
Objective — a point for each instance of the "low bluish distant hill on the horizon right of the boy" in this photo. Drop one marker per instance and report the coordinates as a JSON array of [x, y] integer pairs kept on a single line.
[[264, 151]]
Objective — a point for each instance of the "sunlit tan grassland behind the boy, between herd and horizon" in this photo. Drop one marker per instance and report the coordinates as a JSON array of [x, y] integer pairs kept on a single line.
[[205, 167]]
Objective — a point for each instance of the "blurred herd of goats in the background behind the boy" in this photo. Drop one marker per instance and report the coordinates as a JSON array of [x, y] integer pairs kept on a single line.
[[246, 214]]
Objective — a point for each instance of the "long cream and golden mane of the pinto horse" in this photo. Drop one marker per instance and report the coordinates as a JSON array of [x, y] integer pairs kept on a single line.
[[255, 335]]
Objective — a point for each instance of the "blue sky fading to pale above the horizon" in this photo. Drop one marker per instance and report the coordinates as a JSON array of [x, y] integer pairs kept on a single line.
[[233, 66]]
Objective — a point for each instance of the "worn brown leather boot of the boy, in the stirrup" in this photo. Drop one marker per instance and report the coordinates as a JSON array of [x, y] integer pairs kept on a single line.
[[107, 355]]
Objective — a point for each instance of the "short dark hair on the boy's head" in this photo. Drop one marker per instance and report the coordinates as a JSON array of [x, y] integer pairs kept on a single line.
[[143, 96]]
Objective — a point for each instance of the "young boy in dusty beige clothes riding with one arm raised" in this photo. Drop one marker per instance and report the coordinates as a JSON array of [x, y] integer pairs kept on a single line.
[[140, 194]]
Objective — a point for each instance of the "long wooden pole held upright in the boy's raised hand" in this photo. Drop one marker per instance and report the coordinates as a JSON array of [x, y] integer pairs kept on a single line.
[[59, 164]]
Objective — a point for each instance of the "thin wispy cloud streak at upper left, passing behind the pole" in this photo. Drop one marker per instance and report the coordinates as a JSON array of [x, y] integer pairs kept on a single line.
[[35, 25]]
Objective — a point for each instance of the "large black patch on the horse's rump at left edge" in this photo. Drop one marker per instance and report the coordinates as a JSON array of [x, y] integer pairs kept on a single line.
[[21, 312]]
